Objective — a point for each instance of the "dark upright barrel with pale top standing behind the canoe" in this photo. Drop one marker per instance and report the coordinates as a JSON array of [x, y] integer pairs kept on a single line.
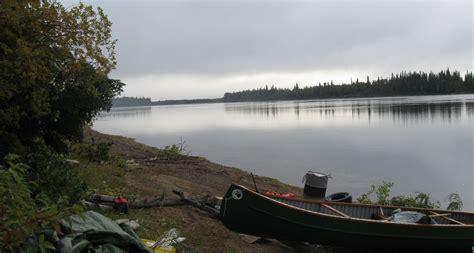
[[315, 184]]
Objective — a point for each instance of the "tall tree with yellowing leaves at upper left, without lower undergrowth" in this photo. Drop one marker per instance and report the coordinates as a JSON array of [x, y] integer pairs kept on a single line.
[[54, 64]]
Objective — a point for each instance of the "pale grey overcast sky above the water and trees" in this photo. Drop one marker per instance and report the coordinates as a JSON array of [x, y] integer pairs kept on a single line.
[[201, 49]]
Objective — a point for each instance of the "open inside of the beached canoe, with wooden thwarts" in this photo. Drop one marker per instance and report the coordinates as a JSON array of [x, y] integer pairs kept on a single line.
[[370, 212]]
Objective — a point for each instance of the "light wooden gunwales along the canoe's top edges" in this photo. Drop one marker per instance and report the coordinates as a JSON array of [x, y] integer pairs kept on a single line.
[[361, 220]]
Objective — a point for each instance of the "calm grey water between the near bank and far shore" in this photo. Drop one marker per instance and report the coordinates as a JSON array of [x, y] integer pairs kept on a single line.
[[422, 144]]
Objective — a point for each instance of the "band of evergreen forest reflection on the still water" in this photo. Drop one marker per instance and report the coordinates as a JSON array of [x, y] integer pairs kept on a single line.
[[397, 111]]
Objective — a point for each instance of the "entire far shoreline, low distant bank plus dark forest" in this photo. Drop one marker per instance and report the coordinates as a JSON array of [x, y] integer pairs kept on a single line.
[[403, 84]]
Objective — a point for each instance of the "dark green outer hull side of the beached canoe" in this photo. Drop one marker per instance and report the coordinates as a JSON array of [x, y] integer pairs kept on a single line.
[[254, 214]]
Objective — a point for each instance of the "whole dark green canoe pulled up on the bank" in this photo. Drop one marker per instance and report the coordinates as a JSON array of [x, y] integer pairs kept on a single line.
[[342, 224]]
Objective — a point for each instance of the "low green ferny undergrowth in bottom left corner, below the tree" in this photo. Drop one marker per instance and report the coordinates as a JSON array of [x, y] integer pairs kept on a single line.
[[21, 214]]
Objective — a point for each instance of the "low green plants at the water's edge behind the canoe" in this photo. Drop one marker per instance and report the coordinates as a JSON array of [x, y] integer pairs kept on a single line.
[[420, 200]]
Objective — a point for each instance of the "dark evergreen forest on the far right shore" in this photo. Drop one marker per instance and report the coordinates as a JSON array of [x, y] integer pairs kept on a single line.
[[401, 84]]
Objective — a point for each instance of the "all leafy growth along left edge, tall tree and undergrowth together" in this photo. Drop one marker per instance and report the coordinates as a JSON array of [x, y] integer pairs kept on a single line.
[[54, 66]]
